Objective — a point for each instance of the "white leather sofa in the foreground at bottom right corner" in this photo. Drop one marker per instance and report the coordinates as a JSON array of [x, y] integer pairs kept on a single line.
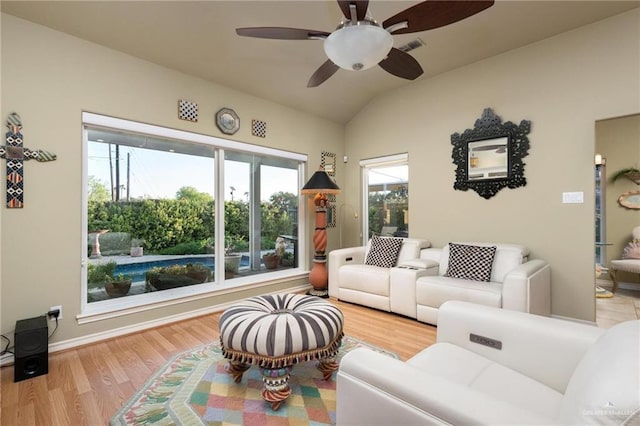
[[548, 371]]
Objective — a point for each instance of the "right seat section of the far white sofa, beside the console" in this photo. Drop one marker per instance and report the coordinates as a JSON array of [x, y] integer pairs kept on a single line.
[[516, 283]]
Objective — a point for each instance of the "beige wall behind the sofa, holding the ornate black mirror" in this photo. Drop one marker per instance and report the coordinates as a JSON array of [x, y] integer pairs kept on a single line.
[[563, 85]]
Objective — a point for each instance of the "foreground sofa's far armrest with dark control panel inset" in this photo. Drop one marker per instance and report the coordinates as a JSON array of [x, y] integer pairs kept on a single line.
[[543, 348]]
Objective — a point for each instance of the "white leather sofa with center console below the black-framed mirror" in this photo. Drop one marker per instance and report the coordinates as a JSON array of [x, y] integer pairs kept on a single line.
[[417, 284]]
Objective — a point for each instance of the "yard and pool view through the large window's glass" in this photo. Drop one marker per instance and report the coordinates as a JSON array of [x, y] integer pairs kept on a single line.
[[151, 214]]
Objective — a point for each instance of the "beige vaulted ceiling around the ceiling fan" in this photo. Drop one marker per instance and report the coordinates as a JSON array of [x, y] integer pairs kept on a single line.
[[198, 38]]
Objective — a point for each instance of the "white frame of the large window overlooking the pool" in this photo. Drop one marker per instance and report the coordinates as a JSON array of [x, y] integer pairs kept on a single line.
[[111, 308]]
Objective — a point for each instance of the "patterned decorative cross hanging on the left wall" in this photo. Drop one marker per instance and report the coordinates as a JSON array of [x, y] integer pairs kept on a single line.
[[16, 154]]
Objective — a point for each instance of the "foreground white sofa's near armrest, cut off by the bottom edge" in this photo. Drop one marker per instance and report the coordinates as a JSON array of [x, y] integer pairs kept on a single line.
[[375, 389]]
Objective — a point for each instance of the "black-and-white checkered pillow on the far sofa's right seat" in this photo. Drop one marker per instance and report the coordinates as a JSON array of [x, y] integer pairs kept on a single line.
[[470, 262]]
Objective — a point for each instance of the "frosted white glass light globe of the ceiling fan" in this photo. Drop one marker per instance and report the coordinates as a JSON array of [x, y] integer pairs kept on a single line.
[[358, 47]]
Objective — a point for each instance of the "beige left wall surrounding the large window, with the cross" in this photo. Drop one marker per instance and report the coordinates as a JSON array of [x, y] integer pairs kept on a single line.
[[49, 79]]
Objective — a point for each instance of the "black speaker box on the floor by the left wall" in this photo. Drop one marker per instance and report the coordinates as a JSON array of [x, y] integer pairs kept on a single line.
[[31, 348]]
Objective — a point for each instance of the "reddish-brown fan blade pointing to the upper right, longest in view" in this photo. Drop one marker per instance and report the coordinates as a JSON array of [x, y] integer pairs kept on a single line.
[[432, 14]]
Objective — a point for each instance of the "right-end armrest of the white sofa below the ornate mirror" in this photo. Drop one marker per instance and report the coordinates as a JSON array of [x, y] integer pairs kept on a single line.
[[527, 288]]
